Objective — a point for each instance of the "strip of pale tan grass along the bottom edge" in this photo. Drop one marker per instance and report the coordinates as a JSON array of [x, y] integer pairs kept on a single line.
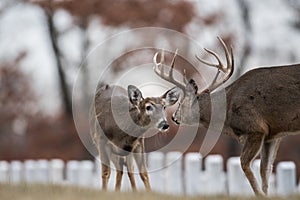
[[54, 192]]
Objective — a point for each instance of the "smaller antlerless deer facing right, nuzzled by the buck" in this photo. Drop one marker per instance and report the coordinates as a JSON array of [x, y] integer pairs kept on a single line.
[[119, 118]]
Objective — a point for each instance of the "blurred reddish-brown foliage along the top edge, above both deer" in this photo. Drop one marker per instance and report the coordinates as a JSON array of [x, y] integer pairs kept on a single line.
[[132, 13]]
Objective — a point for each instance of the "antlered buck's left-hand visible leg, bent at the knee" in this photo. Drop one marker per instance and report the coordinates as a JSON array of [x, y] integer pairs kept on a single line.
[[250, 150]]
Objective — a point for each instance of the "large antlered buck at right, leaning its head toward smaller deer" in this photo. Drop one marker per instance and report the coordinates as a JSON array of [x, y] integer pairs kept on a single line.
[[262, 106]]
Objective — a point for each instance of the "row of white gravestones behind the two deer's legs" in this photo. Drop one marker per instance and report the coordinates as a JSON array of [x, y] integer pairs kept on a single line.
[[169, 173]]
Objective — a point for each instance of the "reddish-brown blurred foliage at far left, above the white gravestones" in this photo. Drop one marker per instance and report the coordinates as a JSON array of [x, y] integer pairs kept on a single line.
[[24, 131]]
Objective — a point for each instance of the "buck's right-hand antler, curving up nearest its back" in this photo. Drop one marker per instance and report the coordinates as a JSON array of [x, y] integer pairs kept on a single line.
[[228, 70]]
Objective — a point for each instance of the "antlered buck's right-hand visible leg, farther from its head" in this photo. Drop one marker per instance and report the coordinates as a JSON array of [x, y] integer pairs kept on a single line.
[[267, 155]]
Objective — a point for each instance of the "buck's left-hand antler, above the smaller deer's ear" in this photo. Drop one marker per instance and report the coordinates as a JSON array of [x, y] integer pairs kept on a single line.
[[159, 70]]
